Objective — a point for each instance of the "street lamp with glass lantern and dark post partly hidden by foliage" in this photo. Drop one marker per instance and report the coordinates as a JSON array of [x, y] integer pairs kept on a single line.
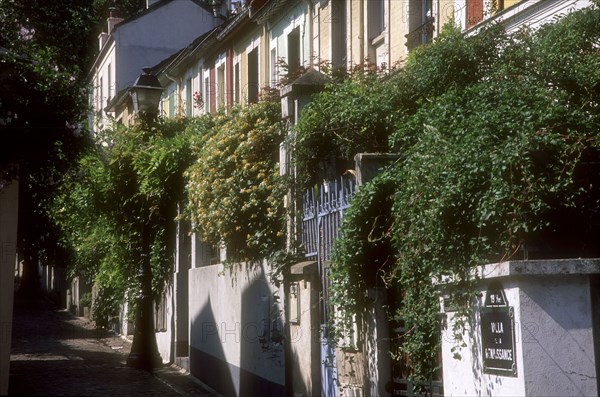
[[145, 94]]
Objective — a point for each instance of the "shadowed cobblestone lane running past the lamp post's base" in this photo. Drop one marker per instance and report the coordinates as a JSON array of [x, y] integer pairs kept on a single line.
[[56, 353]]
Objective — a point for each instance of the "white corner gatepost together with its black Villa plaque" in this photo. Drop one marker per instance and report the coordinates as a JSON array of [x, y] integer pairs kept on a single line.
[[531, 333]]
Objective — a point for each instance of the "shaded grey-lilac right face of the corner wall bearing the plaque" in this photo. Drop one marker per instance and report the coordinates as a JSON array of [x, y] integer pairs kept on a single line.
[[557, 336]]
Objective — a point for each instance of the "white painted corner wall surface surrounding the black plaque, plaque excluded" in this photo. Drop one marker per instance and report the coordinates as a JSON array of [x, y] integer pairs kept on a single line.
[[553, 333]]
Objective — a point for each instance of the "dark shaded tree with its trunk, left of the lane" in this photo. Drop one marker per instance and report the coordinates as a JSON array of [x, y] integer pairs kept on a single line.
[[45, 52]]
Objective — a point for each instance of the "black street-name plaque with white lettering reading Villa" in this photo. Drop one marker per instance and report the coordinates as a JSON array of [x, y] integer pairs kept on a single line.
[[498, 334]]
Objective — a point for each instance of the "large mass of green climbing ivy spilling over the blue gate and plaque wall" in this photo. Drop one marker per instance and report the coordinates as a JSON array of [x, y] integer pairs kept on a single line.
[[500, 152]]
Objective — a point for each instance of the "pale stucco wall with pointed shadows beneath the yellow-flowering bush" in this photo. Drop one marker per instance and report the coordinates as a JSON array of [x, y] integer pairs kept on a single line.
[[235, 323]]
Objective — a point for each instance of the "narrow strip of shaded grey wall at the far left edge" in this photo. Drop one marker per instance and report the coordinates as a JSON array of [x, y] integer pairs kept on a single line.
[[9, 204]]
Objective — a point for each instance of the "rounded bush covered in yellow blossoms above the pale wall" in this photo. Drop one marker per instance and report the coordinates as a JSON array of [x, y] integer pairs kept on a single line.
[[235, 192]]
